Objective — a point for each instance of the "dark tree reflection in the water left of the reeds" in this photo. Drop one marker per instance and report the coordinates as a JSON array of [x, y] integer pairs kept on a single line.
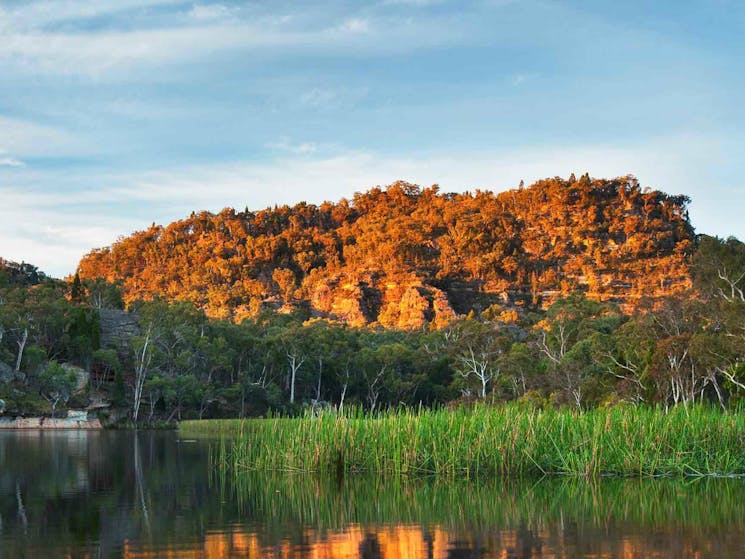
[[103, 487]]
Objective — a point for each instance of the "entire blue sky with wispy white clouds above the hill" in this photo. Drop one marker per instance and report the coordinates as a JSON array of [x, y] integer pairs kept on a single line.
[[115, 115]]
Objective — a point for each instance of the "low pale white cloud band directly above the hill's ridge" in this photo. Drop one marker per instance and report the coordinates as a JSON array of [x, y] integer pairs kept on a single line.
[[54, 230]]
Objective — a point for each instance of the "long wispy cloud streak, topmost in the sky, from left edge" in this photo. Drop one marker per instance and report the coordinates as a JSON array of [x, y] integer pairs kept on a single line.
[[205, 30]]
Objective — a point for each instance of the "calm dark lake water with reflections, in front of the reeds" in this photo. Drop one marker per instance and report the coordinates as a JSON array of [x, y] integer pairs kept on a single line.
[[121, 494]]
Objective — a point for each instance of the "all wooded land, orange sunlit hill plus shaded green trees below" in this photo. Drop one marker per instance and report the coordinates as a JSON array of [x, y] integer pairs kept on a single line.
[[581, 293]]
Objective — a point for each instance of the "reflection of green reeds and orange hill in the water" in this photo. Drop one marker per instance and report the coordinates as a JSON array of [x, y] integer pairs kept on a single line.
[[409, 518]]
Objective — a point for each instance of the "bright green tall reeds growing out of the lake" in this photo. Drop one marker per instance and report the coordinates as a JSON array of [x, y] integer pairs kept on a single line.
[[490, 441]]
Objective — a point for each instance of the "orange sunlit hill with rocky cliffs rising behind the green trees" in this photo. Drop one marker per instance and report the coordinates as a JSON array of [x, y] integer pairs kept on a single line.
[[404, 257]]
